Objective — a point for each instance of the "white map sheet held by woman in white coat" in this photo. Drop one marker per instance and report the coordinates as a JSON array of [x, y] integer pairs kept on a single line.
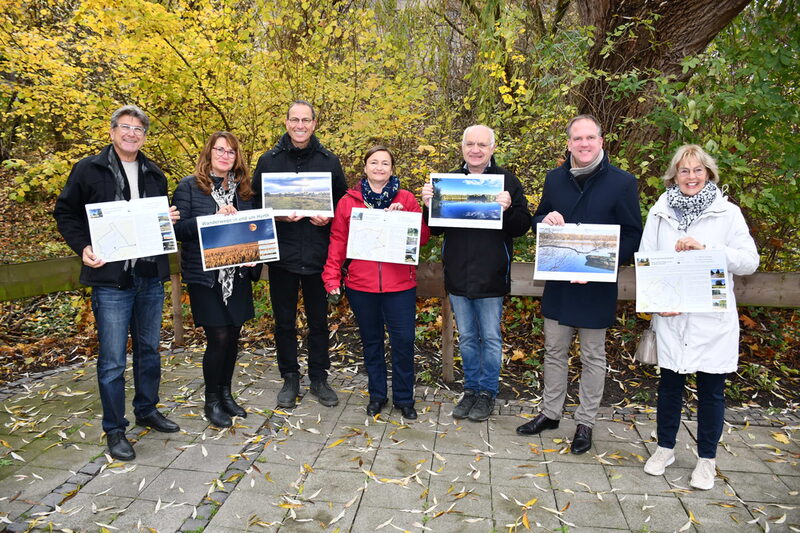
[[695, 281]]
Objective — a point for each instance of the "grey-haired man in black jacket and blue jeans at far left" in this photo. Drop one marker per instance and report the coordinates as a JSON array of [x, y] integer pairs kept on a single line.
[[126, 295]]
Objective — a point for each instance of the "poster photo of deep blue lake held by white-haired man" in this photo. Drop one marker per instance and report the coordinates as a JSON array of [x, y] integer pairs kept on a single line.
[[466, 201]]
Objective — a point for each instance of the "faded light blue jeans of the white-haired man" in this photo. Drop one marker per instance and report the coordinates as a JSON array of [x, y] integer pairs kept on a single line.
[[480, 341]]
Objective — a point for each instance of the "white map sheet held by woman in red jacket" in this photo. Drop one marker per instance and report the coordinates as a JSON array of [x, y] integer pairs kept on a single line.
[[386, 236]]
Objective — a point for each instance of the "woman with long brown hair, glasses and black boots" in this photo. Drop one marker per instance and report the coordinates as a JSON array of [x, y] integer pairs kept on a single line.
[[221, 300]]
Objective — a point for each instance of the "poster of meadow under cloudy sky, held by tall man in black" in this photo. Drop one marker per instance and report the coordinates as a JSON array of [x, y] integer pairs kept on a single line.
[[298, 193]]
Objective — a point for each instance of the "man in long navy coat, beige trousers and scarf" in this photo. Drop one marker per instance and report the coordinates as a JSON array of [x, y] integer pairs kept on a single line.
[[586, 189]]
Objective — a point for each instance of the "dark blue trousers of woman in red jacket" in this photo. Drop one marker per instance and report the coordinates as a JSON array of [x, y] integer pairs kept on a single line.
[[397, 311]]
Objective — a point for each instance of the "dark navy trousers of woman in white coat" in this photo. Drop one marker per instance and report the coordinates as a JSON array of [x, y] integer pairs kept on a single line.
[[710, 410]]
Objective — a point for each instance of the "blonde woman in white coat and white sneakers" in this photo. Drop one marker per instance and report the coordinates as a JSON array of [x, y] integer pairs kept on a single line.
[[694, 215]]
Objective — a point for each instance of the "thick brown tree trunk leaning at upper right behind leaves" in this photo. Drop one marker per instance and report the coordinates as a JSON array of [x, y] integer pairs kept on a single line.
[[661, 35]]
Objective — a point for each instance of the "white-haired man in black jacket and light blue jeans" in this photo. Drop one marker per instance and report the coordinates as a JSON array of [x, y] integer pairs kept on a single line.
[[477, 275]]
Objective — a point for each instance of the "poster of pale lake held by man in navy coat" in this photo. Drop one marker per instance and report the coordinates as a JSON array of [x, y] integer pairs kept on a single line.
[[581, 252]]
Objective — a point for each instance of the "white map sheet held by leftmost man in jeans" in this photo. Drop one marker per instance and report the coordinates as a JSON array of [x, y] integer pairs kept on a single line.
[[130, 229]]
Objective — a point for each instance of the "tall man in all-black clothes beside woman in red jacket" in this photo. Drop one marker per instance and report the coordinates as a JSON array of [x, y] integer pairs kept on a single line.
[[303, 246]]
